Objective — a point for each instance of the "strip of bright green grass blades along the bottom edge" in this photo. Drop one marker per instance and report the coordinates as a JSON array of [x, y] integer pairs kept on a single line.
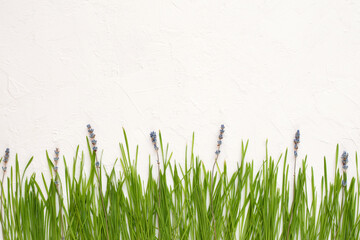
[[244, 203]]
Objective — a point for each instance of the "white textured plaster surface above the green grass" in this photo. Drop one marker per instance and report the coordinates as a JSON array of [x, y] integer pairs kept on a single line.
[[263, 68]]
